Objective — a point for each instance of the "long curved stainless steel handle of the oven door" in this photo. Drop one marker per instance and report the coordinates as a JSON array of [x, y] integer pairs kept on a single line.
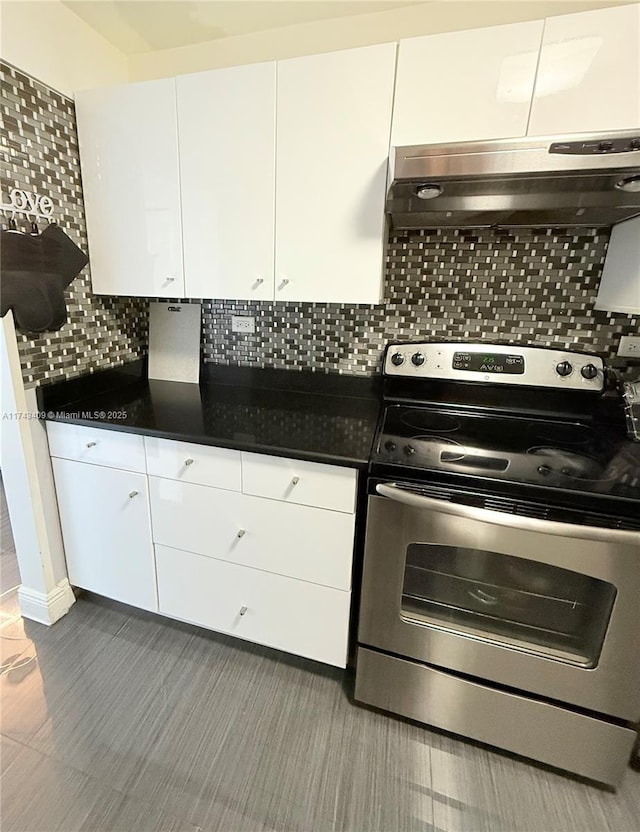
[[402, 494]]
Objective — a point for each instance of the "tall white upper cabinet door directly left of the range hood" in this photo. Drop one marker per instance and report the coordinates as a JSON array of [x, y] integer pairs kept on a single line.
[[333, 122]]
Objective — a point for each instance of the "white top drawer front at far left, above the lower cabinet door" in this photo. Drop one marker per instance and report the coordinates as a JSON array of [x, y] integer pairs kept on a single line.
[[110, 448]]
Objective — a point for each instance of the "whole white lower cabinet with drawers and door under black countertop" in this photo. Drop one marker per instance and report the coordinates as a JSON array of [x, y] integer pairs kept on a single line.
[[255, 546]]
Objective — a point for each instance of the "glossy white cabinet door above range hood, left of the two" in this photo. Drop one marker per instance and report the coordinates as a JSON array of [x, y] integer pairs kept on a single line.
[[464, 86]]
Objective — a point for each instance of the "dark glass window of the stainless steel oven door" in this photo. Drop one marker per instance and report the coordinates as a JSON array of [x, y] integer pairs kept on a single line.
[[521, 604]]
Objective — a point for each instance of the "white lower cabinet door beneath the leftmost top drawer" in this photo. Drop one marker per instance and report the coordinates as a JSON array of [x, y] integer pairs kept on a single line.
[[104, 513]]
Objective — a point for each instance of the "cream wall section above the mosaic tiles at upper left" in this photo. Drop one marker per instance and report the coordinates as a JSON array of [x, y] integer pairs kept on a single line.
[[49, 42]]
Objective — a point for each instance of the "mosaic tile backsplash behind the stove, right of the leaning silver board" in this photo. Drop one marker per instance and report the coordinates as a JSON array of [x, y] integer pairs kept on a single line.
[[528, 286]]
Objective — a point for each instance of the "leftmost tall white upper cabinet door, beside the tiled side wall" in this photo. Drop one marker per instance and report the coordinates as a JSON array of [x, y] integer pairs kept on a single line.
[[128, 140]]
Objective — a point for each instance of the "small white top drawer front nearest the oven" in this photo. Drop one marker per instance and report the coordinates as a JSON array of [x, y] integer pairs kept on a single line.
[[308, 483]]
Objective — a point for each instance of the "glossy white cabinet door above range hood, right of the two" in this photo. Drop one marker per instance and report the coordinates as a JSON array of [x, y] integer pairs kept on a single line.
[[589, 73]]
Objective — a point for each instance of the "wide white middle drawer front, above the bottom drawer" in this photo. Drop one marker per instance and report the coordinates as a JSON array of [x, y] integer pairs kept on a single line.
[[297, 541]]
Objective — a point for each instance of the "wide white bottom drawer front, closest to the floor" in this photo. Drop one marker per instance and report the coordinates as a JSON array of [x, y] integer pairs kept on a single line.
[[295, 616]]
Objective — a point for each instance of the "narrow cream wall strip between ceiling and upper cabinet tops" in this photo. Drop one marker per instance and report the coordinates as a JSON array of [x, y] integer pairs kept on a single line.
[[347, 32]]
